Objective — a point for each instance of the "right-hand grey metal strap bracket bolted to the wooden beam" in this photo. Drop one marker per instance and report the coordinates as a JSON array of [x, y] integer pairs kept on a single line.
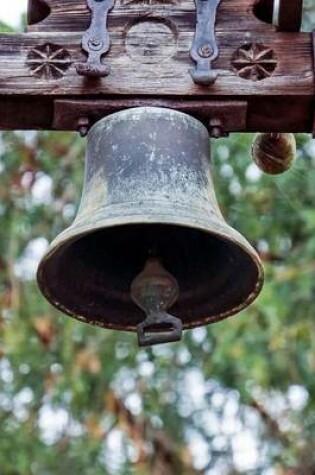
[[204, 49]]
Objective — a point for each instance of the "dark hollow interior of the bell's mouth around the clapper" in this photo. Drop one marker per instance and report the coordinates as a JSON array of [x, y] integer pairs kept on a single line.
[[89, 276]]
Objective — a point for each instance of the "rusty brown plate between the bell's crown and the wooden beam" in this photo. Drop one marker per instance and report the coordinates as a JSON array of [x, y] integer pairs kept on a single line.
[[229, 116]]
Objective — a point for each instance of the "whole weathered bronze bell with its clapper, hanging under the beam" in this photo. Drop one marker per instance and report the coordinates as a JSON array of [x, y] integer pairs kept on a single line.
[[149, 237]]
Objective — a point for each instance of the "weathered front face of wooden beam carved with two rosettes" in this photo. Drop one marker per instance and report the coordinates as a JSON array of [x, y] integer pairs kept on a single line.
[[44, 64]]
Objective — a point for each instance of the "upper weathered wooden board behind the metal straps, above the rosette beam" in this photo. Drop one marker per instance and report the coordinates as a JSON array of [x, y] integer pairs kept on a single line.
[[70, 15]]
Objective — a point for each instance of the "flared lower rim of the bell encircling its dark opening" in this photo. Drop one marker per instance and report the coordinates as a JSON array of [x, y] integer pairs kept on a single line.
[[67, 237]]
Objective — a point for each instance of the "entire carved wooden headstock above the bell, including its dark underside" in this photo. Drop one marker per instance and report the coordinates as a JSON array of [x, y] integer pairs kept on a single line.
[[271, 72]]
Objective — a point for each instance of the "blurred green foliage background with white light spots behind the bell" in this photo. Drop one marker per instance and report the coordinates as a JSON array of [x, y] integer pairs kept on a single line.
[[237, 397]]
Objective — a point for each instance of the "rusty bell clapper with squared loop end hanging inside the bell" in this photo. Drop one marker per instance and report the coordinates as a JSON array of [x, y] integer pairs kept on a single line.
[[155, 290]]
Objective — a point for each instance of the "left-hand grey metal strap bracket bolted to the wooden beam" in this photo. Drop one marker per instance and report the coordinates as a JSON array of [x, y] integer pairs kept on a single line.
[[95, 40]]
